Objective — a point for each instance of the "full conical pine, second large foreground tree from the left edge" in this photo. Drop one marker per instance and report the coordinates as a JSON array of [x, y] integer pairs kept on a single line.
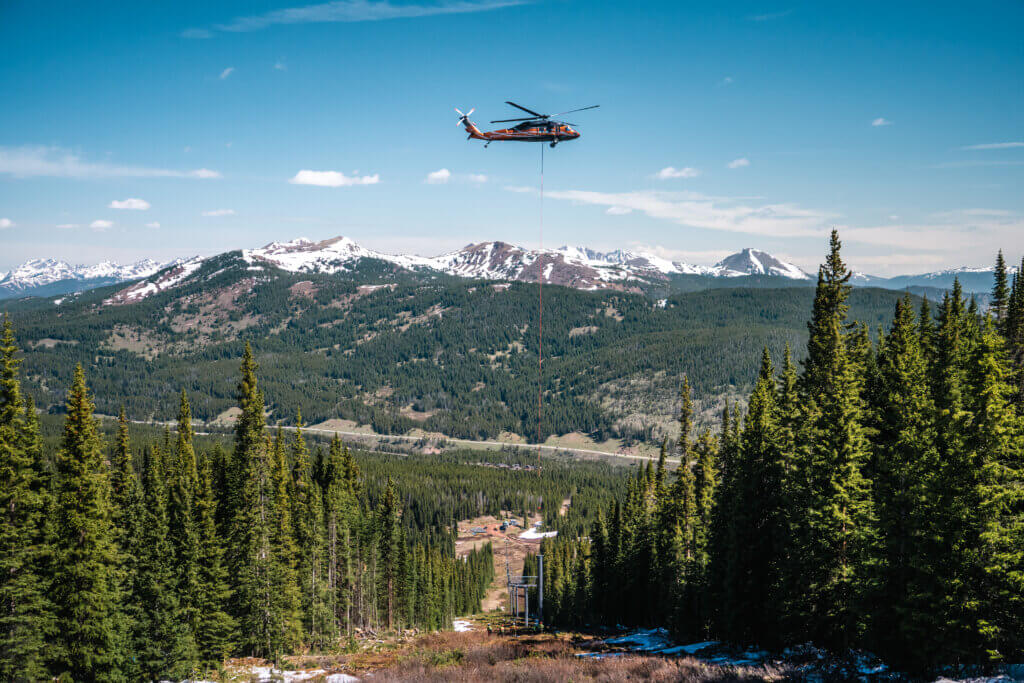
[[91, 637]]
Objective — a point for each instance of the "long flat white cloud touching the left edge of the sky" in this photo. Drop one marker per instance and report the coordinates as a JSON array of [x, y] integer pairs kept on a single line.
[[30, 161]]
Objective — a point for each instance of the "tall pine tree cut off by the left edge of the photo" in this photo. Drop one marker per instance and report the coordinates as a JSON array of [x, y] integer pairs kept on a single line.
[[26, 615]]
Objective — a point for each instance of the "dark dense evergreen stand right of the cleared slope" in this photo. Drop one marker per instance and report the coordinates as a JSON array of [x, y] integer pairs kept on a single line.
[[873, 498]]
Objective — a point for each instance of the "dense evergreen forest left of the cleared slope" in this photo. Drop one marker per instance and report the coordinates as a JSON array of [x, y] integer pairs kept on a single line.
[[120, 562]]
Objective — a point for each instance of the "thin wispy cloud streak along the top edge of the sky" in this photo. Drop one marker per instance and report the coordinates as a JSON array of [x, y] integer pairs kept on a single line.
[[351, 12]]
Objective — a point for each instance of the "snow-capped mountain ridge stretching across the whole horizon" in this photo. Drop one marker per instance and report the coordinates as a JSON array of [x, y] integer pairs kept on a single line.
[[580, 268]]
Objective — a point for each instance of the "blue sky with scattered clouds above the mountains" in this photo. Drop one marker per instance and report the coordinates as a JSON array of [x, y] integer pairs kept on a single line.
[[901, 123]]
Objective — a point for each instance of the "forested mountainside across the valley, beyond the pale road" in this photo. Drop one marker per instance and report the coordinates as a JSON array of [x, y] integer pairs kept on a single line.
[[404, 352]]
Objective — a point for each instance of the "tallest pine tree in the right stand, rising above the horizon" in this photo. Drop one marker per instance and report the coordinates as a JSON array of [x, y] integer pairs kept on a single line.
[[836, 515]]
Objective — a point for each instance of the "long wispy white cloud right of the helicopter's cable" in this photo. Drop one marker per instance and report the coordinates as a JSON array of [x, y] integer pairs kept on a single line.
[[711, 214]]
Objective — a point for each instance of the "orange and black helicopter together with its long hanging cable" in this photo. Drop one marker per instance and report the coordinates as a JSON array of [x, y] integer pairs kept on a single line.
[[535, 129]]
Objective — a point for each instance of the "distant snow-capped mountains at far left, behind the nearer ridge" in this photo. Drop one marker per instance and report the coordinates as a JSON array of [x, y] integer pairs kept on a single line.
[[50, 277]]
